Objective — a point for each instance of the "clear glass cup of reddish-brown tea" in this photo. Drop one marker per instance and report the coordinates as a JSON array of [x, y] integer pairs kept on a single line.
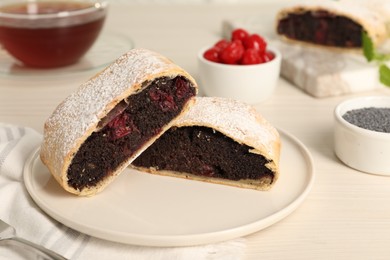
[[50, 33]]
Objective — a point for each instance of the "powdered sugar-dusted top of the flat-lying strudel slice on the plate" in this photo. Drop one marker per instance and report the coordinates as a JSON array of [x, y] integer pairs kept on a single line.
[[235, 119]]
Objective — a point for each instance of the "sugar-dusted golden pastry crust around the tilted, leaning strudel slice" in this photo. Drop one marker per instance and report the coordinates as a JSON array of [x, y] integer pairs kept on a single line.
[[74, 120]]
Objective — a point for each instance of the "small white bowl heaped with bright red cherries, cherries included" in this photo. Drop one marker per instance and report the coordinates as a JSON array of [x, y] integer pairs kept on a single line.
[[243, 67]]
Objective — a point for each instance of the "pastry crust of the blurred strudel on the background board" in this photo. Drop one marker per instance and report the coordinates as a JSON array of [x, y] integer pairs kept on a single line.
[[369, 18]]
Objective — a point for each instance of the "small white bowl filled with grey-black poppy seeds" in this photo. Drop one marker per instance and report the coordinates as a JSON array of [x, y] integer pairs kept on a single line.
[[362, 134]]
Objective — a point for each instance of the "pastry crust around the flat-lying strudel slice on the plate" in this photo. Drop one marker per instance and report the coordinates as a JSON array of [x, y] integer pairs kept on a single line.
[[243, 124]]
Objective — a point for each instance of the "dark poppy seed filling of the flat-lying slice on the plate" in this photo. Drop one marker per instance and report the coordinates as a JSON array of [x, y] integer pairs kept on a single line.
[[205, 152]]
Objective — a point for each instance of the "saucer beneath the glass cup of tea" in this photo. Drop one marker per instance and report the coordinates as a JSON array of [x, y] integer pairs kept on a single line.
[[107, 48]]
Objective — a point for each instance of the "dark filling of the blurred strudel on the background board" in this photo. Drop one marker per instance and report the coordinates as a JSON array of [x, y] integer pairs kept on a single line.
[[322, 28]]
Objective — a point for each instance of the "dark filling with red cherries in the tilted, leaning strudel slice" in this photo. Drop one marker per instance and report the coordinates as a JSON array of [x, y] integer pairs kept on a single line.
[[126, 128]]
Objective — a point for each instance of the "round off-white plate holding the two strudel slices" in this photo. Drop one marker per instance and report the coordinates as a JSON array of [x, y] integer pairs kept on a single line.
[[144, 209]]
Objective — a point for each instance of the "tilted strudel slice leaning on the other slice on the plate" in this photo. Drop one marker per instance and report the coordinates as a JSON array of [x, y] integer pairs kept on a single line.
[[99, 129]]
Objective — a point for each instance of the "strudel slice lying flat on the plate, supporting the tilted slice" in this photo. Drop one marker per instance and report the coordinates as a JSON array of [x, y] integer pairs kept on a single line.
[[219, 141]]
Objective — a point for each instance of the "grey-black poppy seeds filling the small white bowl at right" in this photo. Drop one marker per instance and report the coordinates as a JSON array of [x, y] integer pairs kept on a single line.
[[370, 118]]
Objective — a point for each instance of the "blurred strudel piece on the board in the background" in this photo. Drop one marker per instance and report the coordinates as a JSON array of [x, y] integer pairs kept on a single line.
[[337, 24]]
